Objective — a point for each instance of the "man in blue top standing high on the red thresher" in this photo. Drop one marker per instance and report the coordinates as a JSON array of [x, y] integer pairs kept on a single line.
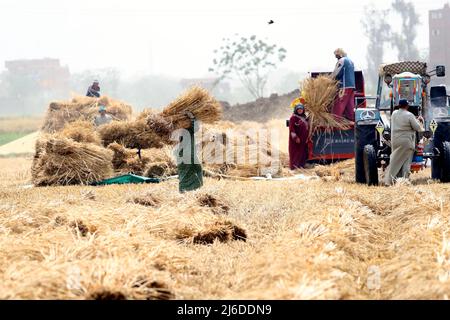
[[344, 73]]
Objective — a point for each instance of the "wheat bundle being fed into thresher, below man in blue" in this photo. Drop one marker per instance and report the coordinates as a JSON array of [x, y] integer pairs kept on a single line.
[[320, 94]]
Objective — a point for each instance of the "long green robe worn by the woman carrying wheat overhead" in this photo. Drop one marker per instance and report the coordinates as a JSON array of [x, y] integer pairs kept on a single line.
[[190, 174]]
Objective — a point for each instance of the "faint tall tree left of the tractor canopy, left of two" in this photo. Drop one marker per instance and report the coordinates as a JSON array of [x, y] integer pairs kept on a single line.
[[379, 33]]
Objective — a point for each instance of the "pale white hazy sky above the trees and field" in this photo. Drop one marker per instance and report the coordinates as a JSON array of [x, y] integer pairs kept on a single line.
[[177, 37]]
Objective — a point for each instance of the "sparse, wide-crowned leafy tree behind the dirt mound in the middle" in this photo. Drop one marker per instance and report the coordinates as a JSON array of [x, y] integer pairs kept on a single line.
[[249, 59]]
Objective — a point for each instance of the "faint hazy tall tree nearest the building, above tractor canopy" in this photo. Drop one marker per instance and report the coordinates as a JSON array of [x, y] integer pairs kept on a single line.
[[404, 40]]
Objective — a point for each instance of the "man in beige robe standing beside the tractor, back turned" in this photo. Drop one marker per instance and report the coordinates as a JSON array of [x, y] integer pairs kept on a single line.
[[404, 126]]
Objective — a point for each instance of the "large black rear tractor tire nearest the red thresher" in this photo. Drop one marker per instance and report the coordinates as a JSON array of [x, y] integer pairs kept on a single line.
[[364, 135]]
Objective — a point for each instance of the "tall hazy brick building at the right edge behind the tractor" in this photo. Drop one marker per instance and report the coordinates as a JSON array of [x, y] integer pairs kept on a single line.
[[439, 22]]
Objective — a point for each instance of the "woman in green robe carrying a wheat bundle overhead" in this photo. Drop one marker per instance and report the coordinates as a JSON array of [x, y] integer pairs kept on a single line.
[[190, 172]]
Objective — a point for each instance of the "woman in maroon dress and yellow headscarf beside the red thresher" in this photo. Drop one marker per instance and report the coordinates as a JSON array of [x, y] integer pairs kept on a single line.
[[298, 136]]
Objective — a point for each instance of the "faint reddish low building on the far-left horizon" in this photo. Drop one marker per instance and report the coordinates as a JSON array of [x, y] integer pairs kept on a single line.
[[47, 73]]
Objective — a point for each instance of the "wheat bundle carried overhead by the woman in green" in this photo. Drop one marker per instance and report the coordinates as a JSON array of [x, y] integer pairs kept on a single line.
[[196, 100]]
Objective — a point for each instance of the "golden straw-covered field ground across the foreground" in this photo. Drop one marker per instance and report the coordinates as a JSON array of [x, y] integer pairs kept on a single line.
[[326, 238]]
